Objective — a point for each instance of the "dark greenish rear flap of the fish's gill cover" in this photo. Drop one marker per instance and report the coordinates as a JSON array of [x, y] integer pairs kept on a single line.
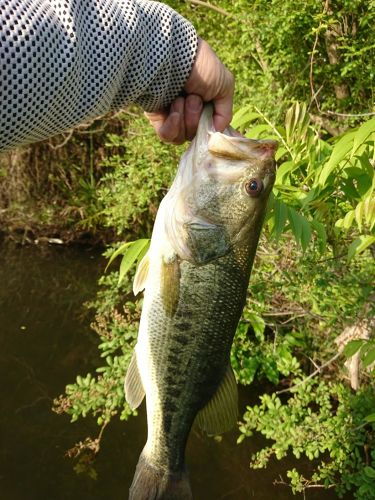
[[206, 241]]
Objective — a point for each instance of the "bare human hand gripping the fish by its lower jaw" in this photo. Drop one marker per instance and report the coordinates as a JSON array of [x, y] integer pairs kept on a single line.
[[209, 80]]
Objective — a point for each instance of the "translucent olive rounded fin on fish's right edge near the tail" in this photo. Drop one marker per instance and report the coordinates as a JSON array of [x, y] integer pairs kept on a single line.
[[221, 412]]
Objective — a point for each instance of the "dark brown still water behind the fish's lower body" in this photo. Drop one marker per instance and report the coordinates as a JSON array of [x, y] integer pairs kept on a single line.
[[45, 341]]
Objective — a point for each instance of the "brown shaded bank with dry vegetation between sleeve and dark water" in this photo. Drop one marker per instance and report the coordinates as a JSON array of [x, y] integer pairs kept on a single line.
[[49, 190]]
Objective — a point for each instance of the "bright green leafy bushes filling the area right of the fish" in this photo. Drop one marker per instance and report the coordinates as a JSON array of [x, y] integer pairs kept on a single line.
[[324, 196]]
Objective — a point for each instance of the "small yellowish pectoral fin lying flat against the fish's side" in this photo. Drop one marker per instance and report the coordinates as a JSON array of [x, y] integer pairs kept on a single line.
[[170, 285]]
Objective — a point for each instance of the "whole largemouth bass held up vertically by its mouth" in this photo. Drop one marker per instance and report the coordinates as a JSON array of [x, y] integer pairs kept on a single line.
[[195, 278]]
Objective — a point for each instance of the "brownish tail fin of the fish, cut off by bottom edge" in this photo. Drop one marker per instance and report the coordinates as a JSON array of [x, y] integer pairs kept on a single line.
[[150, 483]]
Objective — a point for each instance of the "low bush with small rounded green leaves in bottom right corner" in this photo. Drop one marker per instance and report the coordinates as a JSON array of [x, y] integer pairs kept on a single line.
[[321, 420]]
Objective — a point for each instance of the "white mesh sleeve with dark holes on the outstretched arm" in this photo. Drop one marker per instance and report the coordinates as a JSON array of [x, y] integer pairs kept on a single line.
[[63, 62]]
